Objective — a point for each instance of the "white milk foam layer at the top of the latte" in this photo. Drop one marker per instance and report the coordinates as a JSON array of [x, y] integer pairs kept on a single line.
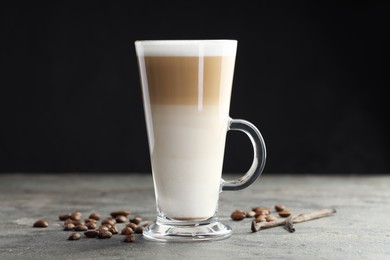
[[186, 48]]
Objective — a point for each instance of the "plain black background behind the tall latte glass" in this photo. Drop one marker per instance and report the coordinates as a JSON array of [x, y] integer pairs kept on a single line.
[[314, 78]]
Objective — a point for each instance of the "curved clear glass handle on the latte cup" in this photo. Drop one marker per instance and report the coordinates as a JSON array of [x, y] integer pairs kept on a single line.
[[259, 155]]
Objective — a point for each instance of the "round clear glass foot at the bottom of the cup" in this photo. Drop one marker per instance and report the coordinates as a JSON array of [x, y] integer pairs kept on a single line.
[[165, 230]]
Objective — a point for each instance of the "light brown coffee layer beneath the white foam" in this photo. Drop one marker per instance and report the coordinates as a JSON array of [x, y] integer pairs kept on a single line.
[[186, 80]]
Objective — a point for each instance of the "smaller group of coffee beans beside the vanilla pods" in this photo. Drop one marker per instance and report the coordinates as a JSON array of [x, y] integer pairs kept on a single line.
[[261, 214]]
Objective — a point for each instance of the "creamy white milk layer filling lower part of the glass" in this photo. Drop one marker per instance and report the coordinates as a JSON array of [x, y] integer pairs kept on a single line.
[[187, 149]]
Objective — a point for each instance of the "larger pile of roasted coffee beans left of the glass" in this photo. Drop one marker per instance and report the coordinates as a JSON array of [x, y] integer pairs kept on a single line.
[[106, 229]]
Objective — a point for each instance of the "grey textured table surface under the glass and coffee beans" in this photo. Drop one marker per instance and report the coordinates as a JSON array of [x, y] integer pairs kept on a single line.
[[359, 230]]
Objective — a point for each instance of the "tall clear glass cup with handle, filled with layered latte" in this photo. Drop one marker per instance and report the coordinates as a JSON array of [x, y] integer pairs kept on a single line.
[[186, 86]]
